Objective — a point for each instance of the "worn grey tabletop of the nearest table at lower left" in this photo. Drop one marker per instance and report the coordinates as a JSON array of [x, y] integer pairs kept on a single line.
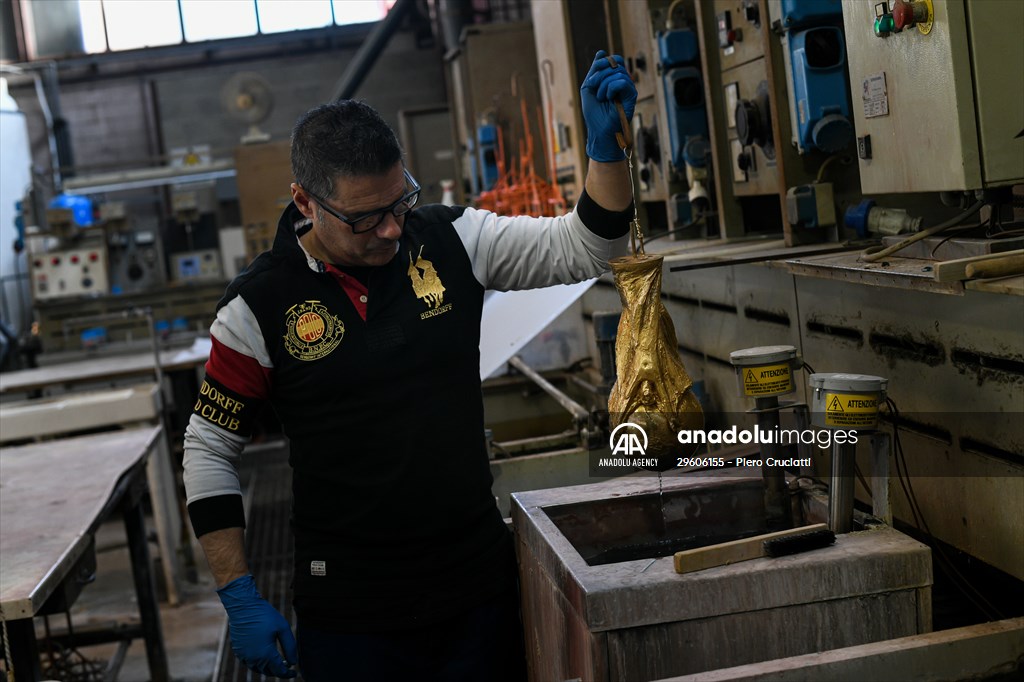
[[53, 495]]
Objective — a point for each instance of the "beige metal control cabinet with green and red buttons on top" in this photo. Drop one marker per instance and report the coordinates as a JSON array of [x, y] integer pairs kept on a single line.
[[936, 93]]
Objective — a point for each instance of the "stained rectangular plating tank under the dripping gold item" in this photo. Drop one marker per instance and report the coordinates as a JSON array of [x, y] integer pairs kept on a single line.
[[599, 605]]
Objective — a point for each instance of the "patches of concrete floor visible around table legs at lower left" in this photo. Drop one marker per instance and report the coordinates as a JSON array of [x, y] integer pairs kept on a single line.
[[193, 630]]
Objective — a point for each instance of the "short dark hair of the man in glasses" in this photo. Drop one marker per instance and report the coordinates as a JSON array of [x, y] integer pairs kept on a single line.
[[344, 139]]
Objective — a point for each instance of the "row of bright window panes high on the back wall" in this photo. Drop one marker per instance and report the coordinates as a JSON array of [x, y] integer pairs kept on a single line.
[[123, 25]]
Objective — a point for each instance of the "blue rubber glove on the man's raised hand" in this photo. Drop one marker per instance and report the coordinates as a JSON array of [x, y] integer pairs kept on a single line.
[[601, 90]]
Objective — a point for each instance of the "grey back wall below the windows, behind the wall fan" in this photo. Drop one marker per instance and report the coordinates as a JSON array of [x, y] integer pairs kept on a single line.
[[125, 121]]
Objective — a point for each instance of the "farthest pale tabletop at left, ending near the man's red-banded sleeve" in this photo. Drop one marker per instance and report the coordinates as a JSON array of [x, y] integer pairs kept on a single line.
[[102, 369]]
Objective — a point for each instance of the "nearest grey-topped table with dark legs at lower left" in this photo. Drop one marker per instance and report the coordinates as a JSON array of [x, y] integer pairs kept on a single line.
[[54, 496]]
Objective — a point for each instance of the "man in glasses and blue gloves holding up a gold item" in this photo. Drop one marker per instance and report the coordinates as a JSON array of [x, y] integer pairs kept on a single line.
[[361, 328]]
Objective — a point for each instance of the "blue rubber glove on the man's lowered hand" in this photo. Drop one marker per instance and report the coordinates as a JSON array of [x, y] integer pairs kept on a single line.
[[257, 627]]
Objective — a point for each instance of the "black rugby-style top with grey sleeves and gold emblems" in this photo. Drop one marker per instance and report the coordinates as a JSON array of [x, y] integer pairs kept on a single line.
[[377, 387]]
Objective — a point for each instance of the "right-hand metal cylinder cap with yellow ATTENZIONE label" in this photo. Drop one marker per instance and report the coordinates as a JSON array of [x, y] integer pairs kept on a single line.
[[847, 401]]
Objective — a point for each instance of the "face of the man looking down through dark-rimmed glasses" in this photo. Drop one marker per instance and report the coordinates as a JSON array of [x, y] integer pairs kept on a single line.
[[355, 197]]
